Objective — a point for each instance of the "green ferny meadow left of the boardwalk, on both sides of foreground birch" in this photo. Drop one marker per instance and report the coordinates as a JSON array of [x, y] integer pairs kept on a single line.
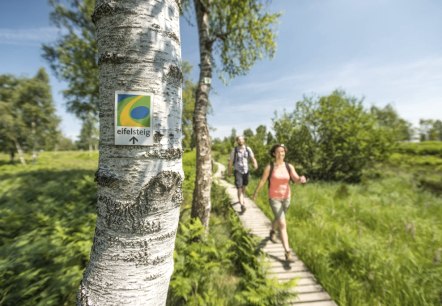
[[47, 221]]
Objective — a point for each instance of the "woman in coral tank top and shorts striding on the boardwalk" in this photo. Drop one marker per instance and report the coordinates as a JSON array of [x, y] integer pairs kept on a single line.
[[278, 174]]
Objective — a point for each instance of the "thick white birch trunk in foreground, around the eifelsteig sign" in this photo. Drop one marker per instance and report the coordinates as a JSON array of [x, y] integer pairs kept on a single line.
[[139, 187]]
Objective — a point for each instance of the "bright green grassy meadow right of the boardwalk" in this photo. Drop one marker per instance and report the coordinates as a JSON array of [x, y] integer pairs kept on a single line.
[[378, 242]]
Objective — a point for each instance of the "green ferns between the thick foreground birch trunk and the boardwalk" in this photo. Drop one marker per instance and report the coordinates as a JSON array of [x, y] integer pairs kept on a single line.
[[223, 268]]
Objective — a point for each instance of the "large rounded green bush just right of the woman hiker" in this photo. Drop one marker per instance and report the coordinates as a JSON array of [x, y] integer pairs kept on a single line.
[[332, 137]]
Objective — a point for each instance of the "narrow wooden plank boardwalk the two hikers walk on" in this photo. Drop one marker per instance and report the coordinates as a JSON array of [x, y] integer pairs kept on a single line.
[[309, 292]]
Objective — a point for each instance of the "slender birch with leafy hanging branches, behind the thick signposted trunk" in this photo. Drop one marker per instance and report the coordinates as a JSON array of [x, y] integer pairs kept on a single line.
[[241, 32]]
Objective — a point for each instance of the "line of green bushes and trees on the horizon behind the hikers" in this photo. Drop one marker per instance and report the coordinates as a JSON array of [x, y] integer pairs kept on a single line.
[[330, 137]]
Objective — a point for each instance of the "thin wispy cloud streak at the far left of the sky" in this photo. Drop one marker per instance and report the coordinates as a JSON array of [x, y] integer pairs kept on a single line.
[[31, 36]]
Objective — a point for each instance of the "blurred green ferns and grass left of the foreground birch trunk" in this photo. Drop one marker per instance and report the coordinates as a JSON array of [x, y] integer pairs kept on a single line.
[[47, 217]]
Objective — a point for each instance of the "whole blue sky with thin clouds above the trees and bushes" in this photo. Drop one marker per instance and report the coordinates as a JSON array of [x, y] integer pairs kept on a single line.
[[385, 51]]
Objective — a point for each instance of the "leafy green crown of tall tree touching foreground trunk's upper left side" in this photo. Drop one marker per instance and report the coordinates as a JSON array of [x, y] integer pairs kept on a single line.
[[73, 57]]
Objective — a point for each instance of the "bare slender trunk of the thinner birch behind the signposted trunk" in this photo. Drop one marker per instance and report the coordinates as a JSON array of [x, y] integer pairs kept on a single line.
[[201, 196]]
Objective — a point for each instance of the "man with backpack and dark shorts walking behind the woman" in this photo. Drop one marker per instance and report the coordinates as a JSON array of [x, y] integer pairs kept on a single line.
[[239, 160]]
